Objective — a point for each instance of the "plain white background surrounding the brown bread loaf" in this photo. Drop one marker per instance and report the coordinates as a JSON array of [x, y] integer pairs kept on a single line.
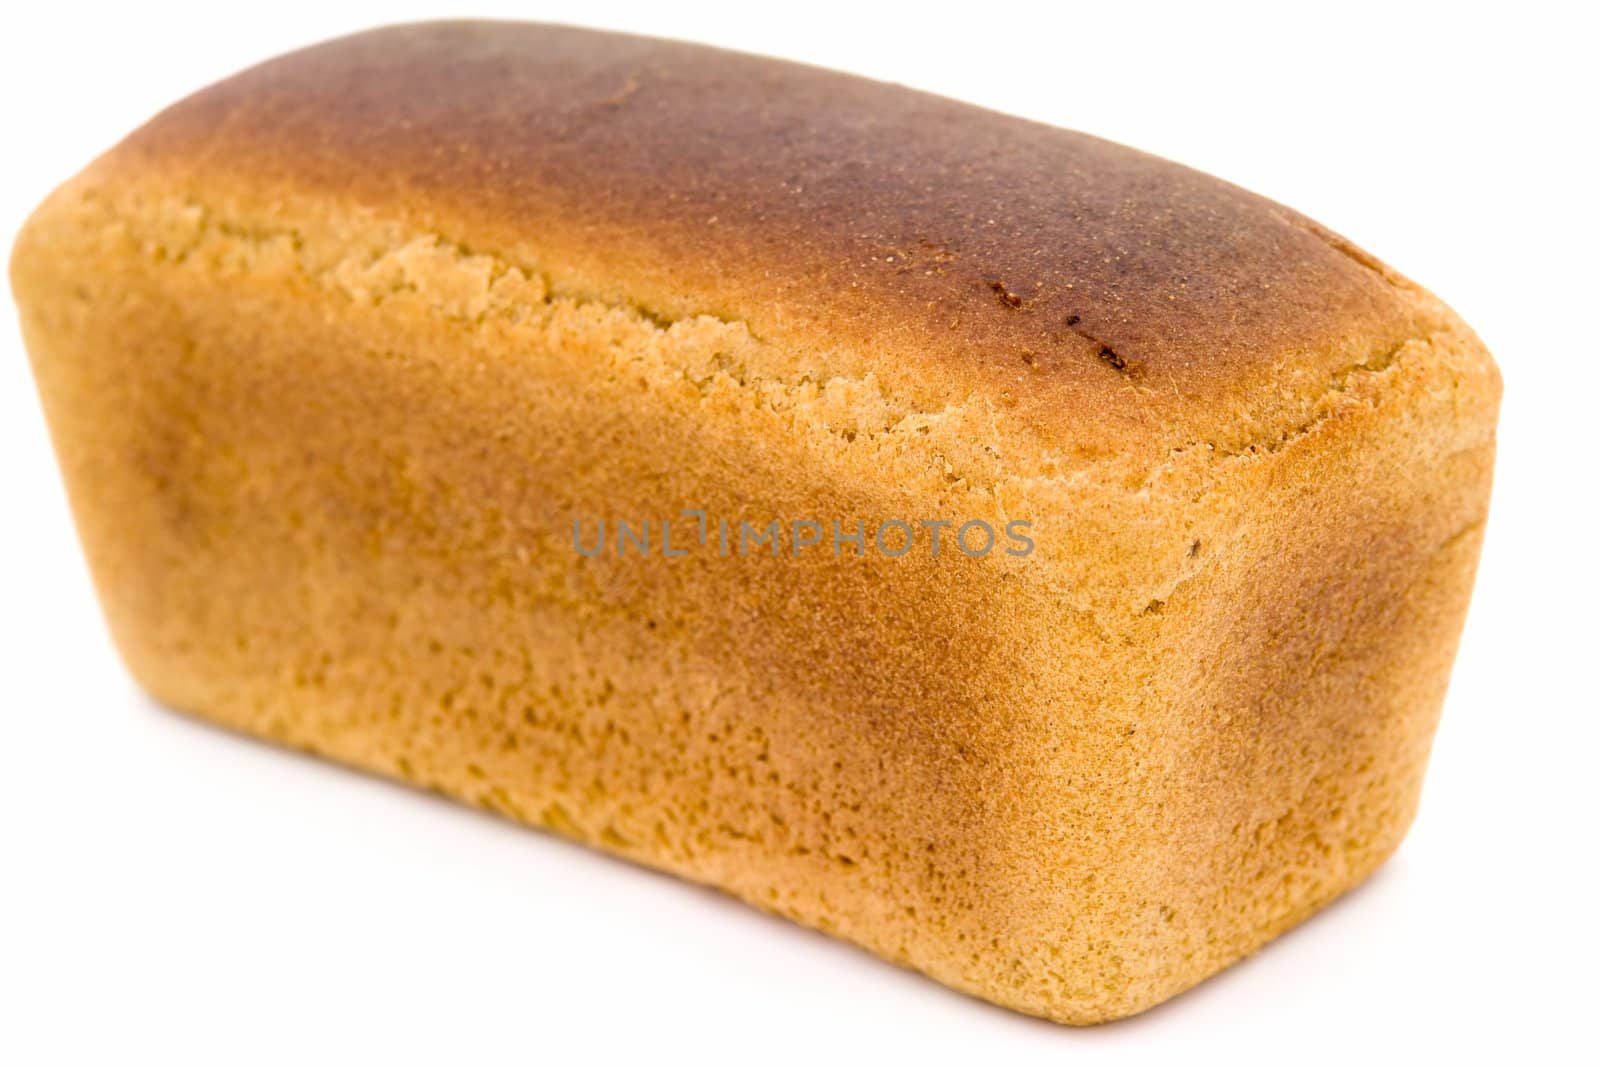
[[178, 895]]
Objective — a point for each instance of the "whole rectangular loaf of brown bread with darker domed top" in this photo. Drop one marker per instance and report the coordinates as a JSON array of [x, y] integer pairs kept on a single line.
[[1028, 559]]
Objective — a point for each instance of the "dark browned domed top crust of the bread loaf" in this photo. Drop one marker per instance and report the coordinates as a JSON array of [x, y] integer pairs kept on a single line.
[[1065, 274]]
